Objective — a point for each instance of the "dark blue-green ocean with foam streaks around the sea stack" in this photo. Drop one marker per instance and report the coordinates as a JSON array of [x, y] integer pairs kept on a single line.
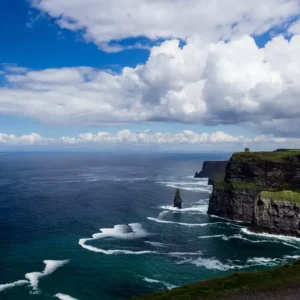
[[102, 226]]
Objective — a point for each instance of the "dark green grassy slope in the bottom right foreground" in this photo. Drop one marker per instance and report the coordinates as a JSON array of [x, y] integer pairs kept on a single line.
[[234, 284]]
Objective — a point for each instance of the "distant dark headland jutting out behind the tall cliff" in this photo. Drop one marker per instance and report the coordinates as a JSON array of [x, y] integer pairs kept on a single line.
[[213, 170]]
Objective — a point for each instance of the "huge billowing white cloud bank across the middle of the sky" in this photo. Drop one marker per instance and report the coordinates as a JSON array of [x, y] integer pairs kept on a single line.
[[233, 82]]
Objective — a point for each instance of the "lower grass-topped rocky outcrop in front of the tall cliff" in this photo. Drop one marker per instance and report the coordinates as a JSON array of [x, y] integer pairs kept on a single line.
[[277, 212]]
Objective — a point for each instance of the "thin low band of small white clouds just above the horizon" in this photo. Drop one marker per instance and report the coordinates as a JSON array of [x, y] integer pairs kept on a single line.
[[126, 137]]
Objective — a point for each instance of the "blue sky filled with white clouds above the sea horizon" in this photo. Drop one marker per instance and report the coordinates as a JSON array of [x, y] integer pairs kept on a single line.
[[167, 75]]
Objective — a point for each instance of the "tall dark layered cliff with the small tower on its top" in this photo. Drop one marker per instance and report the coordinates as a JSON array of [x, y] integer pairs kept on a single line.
[[247, 175]]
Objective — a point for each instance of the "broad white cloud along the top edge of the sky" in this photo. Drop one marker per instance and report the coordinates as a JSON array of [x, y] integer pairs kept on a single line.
[[104, 21]]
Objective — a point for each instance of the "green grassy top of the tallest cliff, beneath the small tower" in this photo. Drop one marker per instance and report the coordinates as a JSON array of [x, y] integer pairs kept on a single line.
[[273, 156]]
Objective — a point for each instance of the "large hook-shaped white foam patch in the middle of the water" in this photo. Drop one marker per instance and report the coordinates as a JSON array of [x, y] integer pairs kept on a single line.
[[124, 232]]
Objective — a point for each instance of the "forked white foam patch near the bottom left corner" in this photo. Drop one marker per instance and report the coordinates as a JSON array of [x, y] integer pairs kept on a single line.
[[51, 266]]
